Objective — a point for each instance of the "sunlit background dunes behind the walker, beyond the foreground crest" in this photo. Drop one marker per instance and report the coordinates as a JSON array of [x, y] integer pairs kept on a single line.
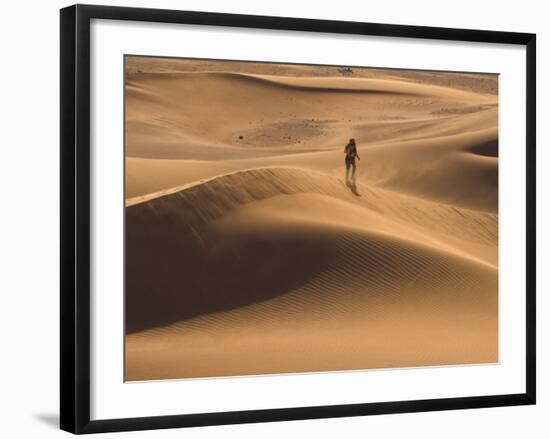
[[434, 142]]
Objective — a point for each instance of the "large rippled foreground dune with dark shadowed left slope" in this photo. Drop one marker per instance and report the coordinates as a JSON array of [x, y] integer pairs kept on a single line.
[[255, 275]]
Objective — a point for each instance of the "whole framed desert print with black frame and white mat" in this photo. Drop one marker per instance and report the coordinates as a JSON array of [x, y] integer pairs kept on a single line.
[[268, 218]]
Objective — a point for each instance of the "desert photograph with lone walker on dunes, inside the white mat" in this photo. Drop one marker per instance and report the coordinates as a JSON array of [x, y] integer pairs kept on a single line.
[[289, 218]]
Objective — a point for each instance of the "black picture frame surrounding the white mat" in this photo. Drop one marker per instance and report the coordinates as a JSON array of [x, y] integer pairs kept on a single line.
[[75, 218]]
